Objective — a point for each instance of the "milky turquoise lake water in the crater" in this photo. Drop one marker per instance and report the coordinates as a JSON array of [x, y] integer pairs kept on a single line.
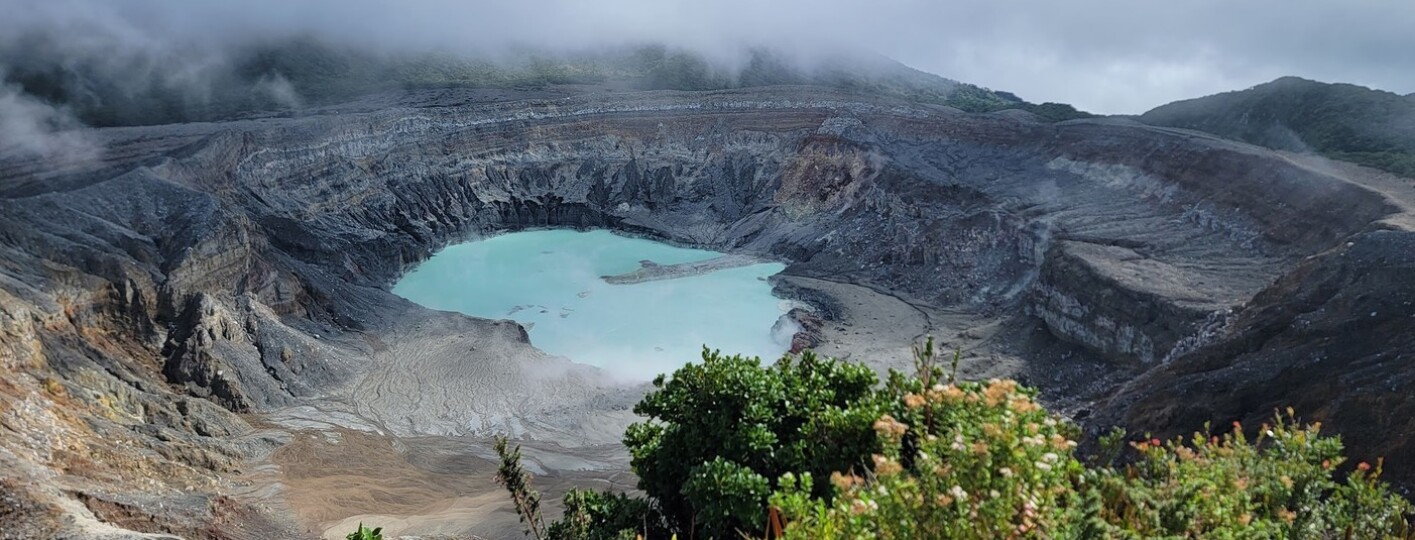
[[550, 281]]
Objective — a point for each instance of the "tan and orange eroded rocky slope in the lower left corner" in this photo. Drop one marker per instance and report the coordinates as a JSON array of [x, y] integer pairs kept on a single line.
[[93, 440]]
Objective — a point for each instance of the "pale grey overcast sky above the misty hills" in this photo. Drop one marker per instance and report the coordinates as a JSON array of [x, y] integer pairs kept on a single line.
[[1107, 57]]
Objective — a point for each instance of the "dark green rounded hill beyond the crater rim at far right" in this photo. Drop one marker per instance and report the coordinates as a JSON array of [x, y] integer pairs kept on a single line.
[[1342, 122]]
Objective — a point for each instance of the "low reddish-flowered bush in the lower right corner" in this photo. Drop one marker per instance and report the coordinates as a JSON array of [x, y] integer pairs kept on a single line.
[[1280, 486]]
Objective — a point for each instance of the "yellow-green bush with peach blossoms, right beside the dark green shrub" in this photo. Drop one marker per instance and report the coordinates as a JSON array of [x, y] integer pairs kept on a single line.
[[963, 462]]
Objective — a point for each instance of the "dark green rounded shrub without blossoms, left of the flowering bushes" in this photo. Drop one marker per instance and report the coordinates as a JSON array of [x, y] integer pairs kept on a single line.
[[721, 432]]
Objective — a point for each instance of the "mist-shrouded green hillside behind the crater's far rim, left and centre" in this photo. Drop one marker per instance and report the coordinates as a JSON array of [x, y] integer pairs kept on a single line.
[[108, 91]]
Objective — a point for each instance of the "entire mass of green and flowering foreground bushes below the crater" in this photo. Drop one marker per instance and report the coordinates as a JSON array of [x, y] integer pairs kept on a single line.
[[816, 449]]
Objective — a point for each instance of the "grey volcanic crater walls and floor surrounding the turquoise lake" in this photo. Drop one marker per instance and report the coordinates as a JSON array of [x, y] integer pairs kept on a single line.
[[210, 337]]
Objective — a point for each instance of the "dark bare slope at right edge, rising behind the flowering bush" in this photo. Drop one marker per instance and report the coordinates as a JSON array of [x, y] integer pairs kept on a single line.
[[1334, 340]]
